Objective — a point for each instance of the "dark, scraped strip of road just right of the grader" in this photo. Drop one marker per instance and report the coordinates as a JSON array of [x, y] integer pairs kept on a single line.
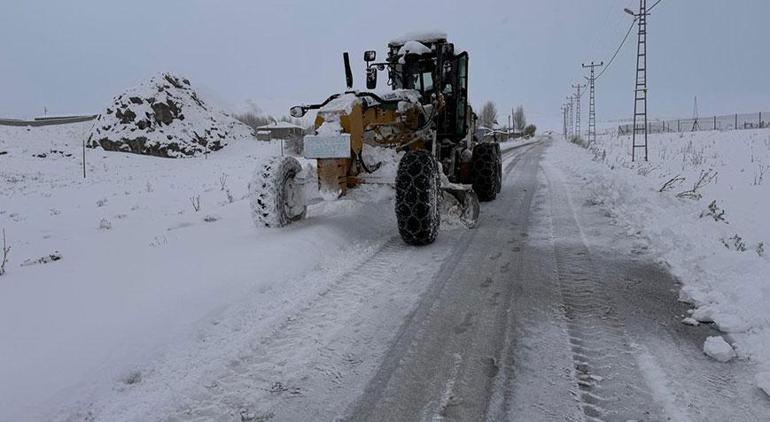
[[446, 362]]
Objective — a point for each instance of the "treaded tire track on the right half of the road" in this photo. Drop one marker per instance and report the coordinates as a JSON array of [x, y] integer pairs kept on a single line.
[[610, 385]]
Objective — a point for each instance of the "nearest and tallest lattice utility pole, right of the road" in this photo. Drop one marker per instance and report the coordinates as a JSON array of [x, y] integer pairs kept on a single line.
[[639, 133]]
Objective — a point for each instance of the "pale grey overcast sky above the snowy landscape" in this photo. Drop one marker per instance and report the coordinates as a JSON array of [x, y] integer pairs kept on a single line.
[[74, 56]]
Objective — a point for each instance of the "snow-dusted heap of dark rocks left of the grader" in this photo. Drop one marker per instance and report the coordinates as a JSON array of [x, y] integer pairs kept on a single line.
[[165, 117]]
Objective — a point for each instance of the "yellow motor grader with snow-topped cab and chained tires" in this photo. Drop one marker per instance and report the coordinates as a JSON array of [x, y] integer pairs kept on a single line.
[[425, 114]]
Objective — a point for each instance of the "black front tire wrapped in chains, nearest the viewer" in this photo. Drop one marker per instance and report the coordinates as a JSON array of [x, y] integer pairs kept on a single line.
[[417, 198]]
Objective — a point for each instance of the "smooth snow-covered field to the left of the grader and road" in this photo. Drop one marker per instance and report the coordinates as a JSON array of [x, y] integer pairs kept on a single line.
[[142, 273]]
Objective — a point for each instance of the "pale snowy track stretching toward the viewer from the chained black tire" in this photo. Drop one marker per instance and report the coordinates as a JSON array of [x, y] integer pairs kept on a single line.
[[307, 366]]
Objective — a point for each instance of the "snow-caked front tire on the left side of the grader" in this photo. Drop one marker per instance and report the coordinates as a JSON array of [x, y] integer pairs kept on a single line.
[[276, 194]]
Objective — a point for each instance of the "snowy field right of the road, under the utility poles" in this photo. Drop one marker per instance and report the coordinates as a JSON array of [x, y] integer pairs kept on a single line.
[[700, 204]]
